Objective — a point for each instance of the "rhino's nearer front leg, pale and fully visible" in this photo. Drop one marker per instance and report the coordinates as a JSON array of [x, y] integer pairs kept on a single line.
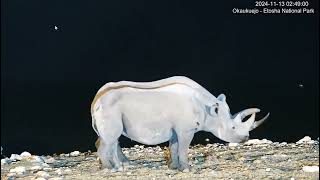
[[184, 140]]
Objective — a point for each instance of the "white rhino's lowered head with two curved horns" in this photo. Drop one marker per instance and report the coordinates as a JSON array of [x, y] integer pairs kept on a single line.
[[231, 128]]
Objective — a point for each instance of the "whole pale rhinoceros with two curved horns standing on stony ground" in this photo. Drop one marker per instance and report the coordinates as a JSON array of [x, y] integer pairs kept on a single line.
[[171, 109]]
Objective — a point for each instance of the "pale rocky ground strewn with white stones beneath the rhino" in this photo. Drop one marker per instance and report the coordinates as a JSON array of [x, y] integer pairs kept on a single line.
[[255, 159]]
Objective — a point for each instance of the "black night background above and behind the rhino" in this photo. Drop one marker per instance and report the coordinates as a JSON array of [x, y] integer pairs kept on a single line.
[[49, 77]]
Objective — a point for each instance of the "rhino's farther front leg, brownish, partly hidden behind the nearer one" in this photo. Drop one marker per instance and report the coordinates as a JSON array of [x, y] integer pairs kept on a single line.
[[173, 146]]
